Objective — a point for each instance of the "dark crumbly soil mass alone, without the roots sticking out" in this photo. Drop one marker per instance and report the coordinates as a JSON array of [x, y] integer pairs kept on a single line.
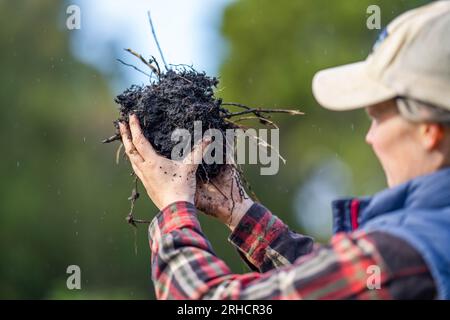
[[175, 101]]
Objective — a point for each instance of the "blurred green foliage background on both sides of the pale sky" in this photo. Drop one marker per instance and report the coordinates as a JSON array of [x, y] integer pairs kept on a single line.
[[64, 199]]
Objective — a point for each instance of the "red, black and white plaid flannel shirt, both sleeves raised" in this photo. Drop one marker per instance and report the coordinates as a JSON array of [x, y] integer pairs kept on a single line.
[[286, 265]]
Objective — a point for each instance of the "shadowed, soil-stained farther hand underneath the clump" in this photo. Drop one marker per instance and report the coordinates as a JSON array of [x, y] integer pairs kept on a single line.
[[223, 197]]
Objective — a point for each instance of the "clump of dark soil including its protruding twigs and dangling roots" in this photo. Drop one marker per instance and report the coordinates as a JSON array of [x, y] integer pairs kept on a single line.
[[174, 99]]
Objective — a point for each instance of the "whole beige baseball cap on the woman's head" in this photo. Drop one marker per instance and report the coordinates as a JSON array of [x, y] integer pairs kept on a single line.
[[410, 59]]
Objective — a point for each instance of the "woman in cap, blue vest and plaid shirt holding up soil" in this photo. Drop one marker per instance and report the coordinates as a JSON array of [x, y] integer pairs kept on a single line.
[[394, 245]]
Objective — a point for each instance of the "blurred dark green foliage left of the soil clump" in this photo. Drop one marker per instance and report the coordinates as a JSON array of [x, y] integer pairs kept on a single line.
[[63, 198]]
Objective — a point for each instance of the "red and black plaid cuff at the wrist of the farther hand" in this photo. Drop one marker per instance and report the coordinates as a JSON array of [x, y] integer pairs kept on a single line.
[[256, 231]]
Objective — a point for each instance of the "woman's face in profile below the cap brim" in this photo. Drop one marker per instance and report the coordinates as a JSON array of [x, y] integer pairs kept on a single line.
[[395, 142]]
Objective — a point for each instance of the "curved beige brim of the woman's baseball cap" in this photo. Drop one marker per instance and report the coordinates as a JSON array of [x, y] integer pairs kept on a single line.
[[348, 87]]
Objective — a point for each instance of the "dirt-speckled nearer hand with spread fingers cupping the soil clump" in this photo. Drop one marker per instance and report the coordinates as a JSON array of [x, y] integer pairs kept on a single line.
[[165, 180]]
